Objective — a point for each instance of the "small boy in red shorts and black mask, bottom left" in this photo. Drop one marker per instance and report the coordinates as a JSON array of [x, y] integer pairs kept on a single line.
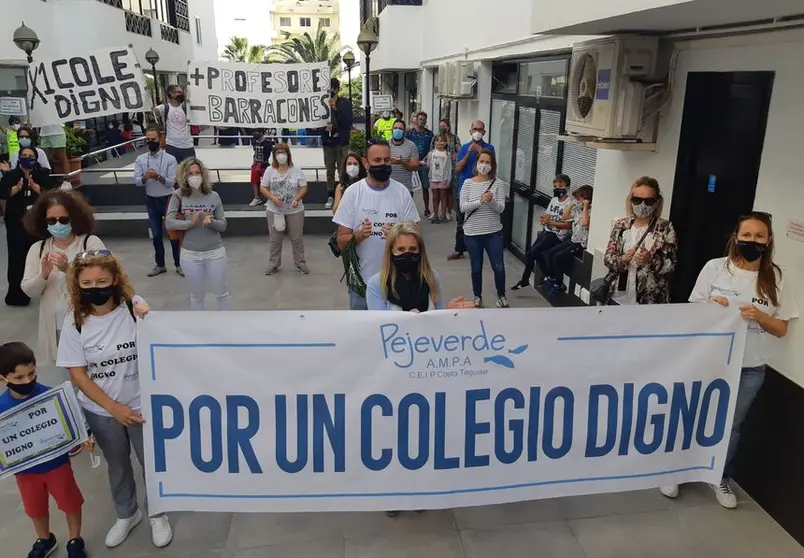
[[51, 478]]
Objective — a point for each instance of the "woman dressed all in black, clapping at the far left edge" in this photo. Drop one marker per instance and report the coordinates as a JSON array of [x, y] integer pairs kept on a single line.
[[21, 187]]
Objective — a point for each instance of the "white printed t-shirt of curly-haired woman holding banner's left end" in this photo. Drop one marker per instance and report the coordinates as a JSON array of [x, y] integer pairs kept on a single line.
[[107, 347]]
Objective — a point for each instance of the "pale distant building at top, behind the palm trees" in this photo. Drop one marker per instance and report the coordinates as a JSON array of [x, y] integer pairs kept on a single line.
[[305, 16]]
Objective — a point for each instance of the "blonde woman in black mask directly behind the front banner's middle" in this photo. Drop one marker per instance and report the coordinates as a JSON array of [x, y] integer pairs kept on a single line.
[[406, 281]]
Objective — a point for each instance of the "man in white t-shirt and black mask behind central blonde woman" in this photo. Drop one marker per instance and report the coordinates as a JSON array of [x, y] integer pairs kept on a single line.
[[367, 209]]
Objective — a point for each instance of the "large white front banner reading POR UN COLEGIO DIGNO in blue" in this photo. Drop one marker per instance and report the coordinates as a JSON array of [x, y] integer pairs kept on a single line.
[[326, 411]]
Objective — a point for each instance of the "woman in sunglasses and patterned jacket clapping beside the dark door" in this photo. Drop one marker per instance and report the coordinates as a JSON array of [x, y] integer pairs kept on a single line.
[[641, 254]]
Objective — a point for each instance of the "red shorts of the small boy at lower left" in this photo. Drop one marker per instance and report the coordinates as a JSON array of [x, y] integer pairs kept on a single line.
[[35, 488]]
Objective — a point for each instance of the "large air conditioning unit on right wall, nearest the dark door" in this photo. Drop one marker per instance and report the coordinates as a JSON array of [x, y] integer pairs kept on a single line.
[[607, 86]]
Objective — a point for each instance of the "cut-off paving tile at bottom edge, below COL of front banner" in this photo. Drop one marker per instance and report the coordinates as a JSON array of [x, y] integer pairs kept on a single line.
[[429, 545]]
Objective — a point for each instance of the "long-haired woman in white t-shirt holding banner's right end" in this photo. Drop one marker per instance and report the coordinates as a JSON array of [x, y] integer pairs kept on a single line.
[[748, 279]]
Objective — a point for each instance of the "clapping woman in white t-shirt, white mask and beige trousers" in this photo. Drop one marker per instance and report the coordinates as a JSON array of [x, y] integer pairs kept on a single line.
[[284, 186]]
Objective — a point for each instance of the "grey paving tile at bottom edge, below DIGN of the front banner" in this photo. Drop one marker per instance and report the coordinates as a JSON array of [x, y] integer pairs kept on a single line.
[[654, 535]]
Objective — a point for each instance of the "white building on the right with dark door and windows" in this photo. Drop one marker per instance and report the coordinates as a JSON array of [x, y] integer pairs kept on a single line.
[[724, 145]]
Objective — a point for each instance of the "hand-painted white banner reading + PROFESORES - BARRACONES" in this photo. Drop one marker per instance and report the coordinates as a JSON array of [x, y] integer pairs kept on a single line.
[[259, 95]]
